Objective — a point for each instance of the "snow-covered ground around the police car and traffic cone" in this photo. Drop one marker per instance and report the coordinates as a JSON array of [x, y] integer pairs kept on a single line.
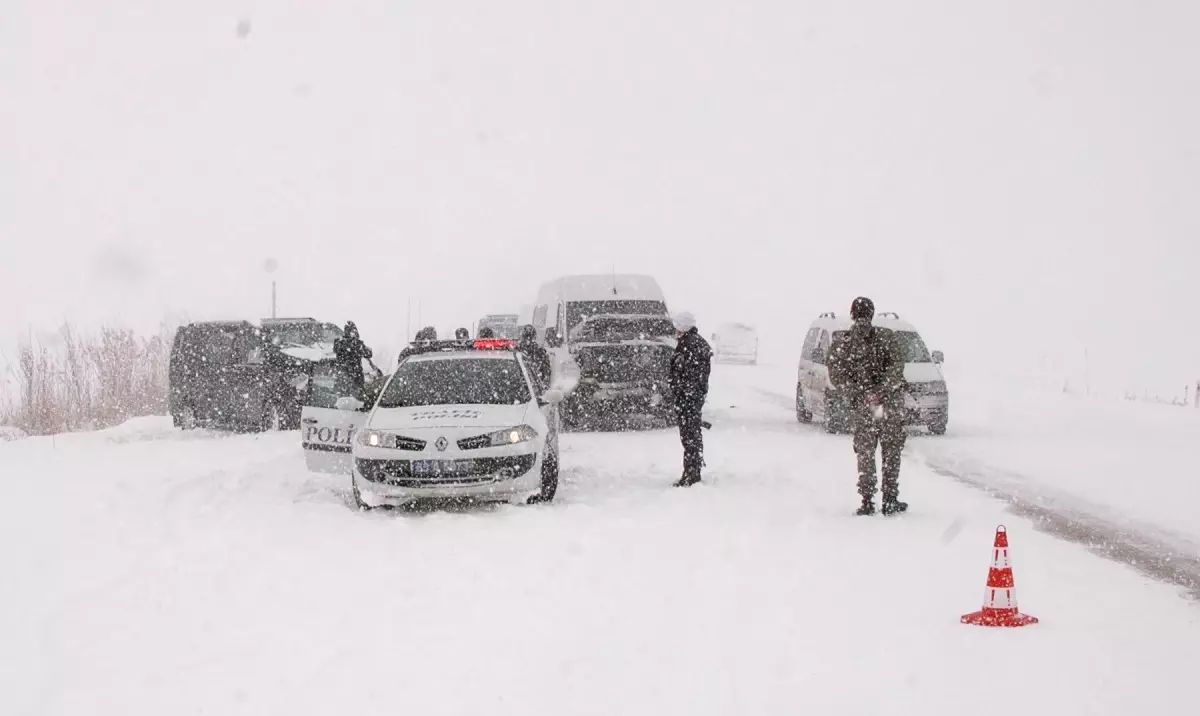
[[151, 571]]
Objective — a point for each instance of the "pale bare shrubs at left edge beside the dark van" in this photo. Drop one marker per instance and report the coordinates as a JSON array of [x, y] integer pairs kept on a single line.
[[88, 381]]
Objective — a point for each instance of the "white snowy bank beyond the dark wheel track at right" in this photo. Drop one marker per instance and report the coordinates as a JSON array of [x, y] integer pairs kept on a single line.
[[1129, 464]]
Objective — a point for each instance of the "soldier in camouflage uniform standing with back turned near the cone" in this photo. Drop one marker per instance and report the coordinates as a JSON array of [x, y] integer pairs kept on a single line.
[[867, 365]]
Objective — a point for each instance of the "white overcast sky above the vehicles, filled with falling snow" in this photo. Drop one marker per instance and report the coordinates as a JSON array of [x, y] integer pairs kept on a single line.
[[1019, 178]]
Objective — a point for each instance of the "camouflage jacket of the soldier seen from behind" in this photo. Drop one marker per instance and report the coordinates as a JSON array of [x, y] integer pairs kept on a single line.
[[867, 362]]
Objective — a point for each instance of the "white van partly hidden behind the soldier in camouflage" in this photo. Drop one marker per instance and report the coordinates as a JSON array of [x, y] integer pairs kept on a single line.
[[927, 404]]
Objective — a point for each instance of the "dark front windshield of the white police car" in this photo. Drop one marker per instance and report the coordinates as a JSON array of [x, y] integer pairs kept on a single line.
[[457, 382]]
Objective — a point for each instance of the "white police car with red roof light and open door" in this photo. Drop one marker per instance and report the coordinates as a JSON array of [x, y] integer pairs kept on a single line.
[[460, 420]]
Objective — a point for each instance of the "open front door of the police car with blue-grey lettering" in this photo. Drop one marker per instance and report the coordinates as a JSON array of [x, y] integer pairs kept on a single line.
[[332, 414]]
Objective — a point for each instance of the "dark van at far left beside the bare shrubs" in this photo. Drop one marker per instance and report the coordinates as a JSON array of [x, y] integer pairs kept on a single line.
[[230, 375]]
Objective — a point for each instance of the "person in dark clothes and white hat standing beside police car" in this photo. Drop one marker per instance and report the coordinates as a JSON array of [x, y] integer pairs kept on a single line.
[[691, 369]]
